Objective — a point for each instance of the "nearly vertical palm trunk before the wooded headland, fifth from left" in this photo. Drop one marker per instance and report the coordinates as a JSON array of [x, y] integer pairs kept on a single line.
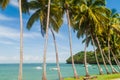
[[85, 58]]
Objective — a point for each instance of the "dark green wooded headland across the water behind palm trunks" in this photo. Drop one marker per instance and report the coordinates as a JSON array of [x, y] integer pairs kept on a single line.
[[79, 58]]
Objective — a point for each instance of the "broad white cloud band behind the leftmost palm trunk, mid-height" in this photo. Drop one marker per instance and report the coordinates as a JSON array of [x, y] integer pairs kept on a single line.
[[13, 34]]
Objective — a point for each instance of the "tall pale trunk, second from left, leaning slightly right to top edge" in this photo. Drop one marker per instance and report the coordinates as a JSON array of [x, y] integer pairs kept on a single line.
[[46, 42]]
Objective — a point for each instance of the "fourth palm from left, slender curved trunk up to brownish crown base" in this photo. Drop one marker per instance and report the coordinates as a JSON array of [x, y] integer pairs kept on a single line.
[[67, 6]]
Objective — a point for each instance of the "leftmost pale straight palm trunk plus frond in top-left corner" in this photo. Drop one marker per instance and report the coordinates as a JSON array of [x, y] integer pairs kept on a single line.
[[3, 4]]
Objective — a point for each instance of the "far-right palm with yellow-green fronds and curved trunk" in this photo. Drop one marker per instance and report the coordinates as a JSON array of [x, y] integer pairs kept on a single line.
[[108, 31]]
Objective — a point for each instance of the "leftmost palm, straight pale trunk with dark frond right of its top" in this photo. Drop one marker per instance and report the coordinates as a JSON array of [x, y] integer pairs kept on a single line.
[[22, 8]]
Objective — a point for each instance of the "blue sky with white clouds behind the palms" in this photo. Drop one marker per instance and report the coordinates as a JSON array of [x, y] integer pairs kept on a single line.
[[33, 40]]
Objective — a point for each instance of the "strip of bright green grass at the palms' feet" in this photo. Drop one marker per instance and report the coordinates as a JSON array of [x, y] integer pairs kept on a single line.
[[100, 77]]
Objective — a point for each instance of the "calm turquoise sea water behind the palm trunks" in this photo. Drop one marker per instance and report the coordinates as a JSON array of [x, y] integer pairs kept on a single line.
[[33, 71]]
